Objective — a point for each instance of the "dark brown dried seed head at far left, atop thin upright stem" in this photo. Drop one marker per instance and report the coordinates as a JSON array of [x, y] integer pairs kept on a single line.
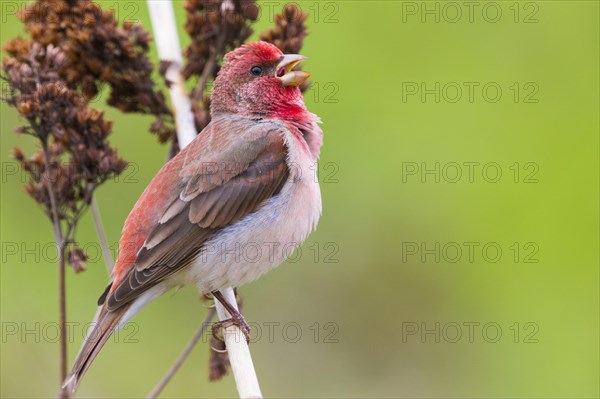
[[79, 155]]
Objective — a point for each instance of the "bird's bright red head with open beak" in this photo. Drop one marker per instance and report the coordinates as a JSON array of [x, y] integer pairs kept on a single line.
[[258, 80]]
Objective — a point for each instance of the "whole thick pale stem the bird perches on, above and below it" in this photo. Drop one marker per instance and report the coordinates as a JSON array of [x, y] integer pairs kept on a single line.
[[169, 49]]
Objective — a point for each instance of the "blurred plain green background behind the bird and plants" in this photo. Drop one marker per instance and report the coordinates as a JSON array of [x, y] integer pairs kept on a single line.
[[386, 288]]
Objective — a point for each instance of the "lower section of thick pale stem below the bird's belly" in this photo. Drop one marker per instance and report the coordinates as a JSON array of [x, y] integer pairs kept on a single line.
[[238, 351]]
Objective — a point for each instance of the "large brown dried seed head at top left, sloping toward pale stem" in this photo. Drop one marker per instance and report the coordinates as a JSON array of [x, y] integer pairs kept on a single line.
[[94, 50]]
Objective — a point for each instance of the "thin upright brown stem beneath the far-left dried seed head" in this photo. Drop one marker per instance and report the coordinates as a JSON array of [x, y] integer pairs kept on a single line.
[[60, 247]]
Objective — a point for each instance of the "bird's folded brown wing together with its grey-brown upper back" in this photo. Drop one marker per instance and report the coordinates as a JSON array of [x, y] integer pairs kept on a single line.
[[234, 180]]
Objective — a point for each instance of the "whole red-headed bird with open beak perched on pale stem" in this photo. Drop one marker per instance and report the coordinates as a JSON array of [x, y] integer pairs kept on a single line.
[[247, 179]]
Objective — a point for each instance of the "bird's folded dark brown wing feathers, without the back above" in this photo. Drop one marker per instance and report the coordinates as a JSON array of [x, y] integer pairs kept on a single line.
[[191, 220]]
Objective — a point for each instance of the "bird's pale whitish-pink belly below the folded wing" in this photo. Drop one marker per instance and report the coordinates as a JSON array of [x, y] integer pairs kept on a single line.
[[261, 241]]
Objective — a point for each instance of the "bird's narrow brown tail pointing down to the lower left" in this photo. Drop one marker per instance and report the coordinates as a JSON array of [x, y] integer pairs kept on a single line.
[[105, 323]]
